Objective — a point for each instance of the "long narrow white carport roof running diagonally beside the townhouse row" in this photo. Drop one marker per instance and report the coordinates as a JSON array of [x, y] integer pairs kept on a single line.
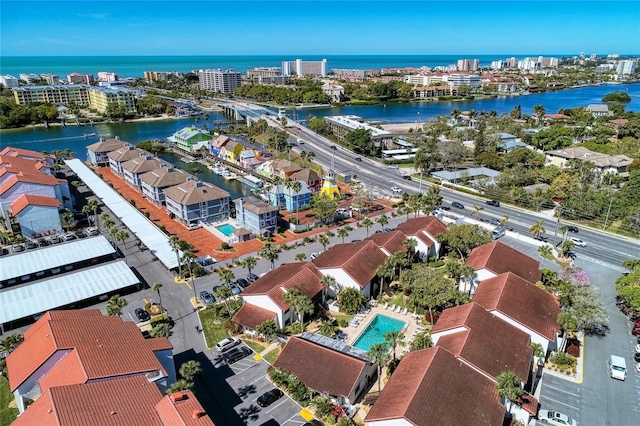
[[145, 230]]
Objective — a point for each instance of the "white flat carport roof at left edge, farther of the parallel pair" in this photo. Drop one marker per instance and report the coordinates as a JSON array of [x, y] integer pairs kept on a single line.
[[45, 259]]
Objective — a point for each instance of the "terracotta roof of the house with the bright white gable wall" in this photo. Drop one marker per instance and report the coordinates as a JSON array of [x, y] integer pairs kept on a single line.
[[303, 276]]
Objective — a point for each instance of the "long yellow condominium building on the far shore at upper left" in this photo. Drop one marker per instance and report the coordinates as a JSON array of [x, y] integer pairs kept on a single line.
[[80, 94]]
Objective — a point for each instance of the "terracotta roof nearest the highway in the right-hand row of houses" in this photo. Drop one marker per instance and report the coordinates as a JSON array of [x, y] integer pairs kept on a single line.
[[499, 258]]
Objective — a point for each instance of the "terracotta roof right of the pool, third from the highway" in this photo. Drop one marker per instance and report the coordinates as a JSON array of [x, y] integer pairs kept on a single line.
[[483, 341]]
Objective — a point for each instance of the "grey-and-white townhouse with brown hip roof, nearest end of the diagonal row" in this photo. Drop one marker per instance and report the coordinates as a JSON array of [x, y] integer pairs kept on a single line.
[[195, 202]]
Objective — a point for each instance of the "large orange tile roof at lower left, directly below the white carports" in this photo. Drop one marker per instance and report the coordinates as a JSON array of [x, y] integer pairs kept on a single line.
[[103, 345]]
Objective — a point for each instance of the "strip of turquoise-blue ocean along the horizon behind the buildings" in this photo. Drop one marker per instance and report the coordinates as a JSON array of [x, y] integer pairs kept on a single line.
[[134, 66]]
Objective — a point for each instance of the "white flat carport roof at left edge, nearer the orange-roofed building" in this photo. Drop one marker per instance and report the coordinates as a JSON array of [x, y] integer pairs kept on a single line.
[[41, 296]]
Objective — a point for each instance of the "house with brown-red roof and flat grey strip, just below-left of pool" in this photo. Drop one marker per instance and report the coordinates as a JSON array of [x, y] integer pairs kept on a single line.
[[327, 366]]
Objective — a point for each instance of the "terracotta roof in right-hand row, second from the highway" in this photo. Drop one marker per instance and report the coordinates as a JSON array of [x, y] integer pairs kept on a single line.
[[521, 301]]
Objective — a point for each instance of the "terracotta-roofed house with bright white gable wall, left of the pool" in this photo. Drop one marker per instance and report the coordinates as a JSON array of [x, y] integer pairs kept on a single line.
[[264, 299]]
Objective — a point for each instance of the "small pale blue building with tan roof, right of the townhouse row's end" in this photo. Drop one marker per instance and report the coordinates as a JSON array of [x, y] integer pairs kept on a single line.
[[257, 216]]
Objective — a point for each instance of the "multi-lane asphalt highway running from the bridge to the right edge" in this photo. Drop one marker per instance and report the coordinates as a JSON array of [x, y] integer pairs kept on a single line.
[[602, 247]]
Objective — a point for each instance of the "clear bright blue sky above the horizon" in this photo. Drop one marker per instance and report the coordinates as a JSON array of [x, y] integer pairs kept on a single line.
[[79, 28]]
